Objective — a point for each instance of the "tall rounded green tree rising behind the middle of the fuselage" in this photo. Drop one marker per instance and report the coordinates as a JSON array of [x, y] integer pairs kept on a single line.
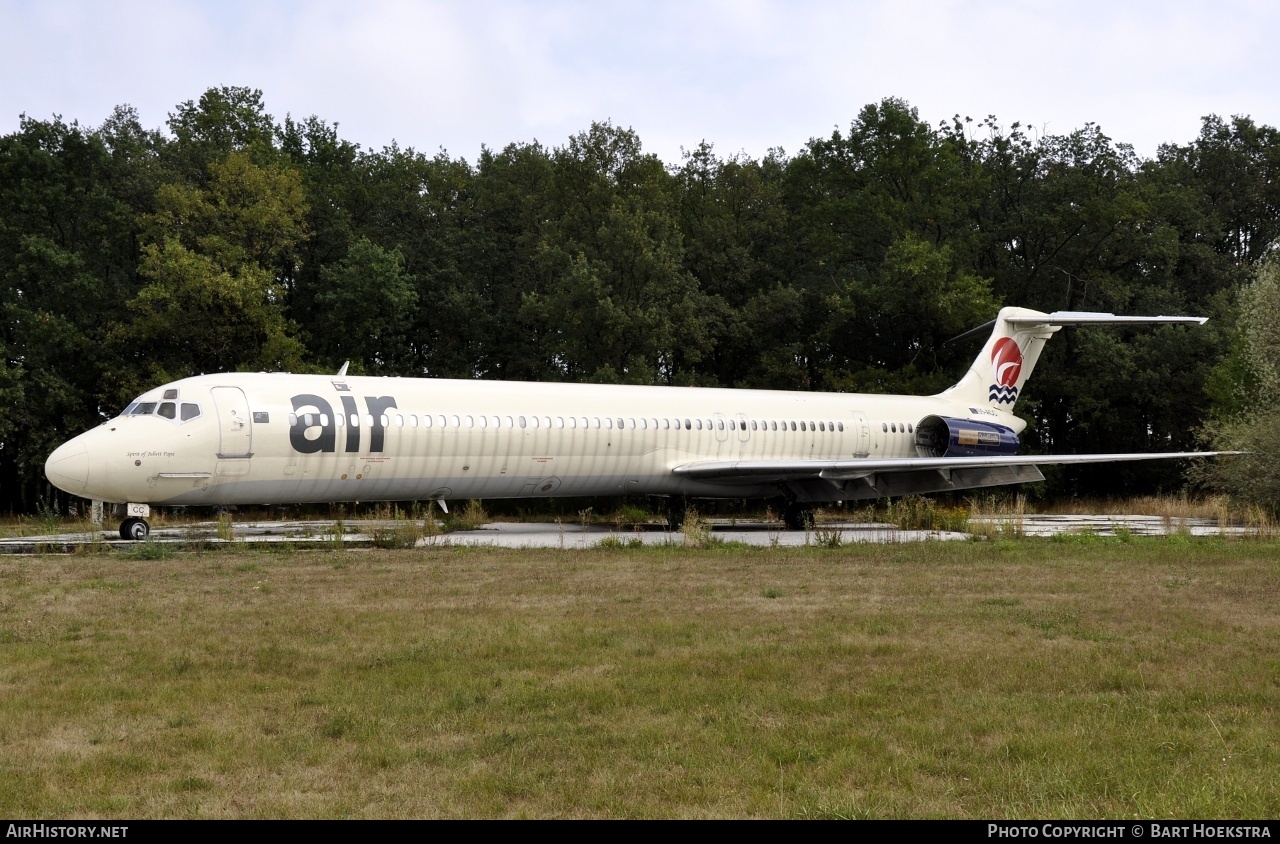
[[616, 303]]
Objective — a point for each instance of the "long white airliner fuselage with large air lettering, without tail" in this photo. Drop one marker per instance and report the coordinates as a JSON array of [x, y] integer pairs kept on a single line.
[[282, 439]]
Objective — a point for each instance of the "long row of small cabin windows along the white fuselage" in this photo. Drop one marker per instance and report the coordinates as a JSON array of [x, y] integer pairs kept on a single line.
[[563, 422]]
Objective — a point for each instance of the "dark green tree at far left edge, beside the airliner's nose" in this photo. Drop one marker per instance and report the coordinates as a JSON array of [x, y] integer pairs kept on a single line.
[[71, 204]]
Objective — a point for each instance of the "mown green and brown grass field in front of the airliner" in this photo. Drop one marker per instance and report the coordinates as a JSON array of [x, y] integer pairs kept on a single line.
[[1080, 678]]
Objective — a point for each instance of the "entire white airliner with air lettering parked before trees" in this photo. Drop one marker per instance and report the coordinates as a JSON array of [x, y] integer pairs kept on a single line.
[[259, 439]]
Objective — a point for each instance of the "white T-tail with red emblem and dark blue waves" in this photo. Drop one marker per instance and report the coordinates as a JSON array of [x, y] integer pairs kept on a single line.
[[1007, 362]]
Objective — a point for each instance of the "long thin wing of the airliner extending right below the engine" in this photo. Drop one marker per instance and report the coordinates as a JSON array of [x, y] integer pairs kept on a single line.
[[778, 471]]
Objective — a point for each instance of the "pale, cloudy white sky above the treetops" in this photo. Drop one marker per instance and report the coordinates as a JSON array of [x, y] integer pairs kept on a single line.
[[744, 75]]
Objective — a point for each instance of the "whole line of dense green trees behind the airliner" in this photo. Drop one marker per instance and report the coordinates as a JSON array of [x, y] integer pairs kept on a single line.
[[232, 241]]
